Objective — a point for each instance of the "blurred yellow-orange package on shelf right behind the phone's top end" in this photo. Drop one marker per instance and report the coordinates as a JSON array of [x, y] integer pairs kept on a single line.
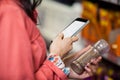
[[92, 31]]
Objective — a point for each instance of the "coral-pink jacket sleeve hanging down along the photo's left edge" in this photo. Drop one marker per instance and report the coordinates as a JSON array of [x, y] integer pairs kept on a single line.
[[15, 51]]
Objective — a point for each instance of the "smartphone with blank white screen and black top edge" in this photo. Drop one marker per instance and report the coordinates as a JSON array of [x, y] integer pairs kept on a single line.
[[75, 27]]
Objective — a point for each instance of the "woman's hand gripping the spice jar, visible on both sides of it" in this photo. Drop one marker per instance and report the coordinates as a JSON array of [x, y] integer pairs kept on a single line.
[[90, 68]]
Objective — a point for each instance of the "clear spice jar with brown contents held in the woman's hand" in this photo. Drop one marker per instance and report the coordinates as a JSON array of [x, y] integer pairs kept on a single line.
[[100, 47]]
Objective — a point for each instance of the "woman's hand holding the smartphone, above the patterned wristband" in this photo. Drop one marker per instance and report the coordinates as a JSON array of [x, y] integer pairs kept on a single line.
[[61, 45]]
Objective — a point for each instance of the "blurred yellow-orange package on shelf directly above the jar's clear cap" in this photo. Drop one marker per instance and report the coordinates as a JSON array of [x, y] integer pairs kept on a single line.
[[105, 23]]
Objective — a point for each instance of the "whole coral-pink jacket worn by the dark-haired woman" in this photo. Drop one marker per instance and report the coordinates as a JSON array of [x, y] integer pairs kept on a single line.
[[22, 48]]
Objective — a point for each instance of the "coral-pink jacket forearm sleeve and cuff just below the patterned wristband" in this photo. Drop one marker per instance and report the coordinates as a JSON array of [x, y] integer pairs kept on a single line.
[[48, 71]]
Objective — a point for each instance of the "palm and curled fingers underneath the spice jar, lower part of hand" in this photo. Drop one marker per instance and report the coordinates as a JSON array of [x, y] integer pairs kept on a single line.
[[90, 70]]
